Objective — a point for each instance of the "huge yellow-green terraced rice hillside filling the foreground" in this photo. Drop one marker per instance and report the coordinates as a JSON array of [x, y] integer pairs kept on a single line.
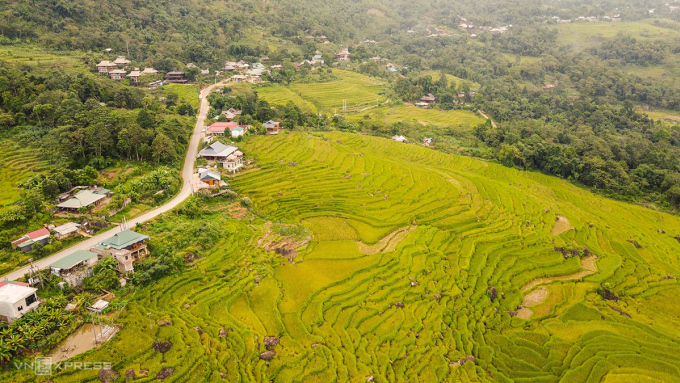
[[414, 272]]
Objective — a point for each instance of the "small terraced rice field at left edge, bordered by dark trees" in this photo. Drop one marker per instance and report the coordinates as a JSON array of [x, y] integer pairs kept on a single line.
[[16, 164]]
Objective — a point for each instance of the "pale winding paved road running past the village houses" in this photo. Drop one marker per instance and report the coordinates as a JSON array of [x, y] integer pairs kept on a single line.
[[187, 177]]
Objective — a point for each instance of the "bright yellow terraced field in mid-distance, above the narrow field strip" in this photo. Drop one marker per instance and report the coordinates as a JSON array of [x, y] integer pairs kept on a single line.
[[357, 89]]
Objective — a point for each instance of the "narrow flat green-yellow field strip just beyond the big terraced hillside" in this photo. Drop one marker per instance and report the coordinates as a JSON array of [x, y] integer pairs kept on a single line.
[[408, 112]]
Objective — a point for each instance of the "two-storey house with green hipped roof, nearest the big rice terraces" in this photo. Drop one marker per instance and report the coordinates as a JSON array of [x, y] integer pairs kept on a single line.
[[125, 247]]
